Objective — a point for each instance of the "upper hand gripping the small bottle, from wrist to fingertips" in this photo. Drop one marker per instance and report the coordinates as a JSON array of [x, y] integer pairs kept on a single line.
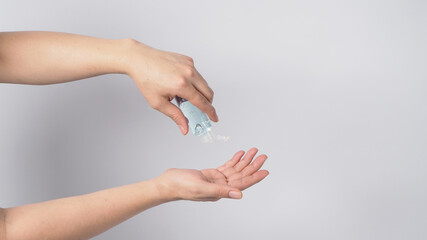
[[161, 76]]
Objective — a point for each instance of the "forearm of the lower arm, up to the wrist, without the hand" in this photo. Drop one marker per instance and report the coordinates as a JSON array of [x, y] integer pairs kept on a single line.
[[81, 217]]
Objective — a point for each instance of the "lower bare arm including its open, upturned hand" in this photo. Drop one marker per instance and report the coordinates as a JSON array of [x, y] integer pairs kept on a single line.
[[85, 216]]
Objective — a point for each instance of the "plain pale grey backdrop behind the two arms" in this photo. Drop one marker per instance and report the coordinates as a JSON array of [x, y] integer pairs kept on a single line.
[[334, 92]]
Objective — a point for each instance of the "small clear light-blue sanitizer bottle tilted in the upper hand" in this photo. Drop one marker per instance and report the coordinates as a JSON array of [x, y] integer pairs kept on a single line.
[[198, 121]]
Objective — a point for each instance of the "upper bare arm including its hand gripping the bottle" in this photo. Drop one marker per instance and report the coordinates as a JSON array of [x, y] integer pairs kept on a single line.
[[50, 57]]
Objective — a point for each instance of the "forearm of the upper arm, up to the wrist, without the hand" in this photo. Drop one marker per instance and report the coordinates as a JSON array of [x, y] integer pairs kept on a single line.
[[50, 57]]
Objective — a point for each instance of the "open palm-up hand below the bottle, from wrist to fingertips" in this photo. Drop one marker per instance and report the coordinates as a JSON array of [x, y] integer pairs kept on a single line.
[[226, 181]]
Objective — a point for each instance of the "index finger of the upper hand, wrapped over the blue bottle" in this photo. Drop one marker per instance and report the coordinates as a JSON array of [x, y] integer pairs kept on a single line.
[[198, 100]]
